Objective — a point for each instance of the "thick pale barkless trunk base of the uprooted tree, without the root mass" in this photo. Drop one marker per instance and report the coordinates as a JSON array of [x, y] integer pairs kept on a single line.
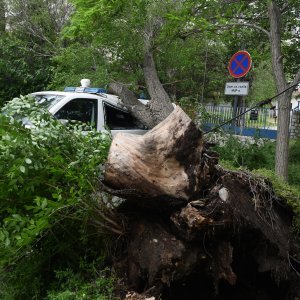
[[170, 160]]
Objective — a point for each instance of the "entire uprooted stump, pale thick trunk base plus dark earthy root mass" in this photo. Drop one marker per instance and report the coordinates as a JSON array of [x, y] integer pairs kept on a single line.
[[195, 230]]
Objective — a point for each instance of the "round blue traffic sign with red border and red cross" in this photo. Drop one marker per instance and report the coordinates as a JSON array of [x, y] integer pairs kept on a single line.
[[240, 64]]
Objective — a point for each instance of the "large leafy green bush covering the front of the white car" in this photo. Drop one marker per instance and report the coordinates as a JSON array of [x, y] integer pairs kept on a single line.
[[43, 169]]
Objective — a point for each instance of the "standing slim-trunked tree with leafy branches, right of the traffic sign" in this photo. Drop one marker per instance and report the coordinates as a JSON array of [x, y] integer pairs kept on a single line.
[[274, 23]]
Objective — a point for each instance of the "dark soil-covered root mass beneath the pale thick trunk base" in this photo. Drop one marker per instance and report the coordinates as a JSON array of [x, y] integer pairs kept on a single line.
[[233, 243]]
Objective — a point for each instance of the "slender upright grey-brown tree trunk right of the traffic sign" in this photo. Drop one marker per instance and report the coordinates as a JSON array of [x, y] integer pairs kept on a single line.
[[282, 143]]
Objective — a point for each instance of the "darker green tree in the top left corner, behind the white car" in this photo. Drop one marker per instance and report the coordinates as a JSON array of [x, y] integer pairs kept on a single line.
[[29, 38]]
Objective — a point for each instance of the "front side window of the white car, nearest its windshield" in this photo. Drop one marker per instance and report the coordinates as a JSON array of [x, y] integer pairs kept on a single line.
[[82, 110]]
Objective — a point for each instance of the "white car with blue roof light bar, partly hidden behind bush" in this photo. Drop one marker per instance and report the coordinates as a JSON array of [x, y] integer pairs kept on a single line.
[[91, 106]]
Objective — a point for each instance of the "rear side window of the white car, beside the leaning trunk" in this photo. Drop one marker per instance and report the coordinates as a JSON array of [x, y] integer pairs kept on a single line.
[[119, 119]]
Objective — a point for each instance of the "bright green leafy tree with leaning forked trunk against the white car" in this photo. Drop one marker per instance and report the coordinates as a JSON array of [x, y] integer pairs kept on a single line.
[[136, 38]]
